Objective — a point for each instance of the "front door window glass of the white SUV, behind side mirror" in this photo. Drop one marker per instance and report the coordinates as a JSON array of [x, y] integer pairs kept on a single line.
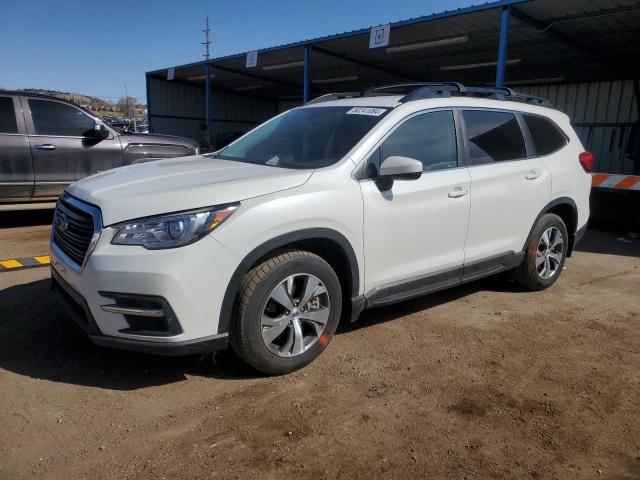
[[429, 137]]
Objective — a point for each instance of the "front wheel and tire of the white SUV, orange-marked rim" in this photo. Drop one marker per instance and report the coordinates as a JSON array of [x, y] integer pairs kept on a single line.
[[274, 338]]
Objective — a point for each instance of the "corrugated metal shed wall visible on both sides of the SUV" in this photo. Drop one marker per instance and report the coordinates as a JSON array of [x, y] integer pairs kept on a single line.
[[589, 105]]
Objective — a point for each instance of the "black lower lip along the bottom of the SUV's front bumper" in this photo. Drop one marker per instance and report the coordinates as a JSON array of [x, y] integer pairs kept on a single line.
[[77, 308]]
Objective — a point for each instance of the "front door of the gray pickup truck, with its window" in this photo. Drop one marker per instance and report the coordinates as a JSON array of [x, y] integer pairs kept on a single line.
[[63, 147]]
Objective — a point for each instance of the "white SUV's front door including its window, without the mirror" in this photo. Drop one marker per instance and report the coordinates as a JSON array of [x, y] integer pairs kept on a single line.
[[414, 233]]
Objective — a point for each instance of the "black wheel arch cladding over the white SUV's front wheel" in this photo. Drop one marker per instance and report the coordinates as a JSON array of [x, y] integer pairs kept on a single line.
[[329, 244]]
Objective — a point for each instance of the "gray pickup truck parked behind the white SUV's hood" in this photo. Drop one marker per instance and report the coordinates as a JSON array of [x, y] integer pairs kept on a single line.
[[47, 143]]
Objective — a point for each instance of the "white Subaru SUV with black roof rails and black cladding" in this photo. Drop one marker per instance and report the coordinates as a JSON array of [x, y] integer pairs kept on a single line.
[[349, 202]]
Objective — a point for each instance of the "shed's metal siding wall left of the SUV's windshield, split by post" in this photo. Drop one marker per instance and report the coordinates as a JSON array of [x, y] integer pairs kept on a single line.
[[231, 113]]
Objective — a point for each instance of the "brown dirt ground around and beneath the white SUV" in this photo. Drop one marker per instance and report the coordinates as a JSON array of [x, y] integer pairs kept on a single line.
[[482, 381]]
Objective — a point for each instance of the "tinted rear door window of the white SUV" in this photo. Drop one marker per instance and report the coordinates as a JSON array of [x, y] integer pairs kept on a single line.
[[493, 137]]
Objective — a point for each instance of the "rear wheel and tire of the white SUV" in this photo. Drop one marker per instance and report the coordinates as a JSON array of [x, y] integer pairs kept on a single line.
[[544, 256]]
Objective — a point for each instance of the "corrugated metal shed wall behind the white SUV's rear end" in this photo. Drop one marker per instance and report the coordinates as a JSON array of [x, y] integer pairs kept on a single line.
[[602, 114]]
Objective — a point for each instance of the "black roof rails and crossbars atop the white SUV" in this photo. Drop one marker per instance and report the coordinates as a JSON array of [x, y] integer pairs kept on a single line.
[[421, 91]]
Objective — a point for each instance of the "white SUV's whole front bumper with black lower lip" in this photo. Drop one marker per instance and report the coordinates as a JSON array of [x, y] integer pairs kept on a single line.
[[190, 282]]
